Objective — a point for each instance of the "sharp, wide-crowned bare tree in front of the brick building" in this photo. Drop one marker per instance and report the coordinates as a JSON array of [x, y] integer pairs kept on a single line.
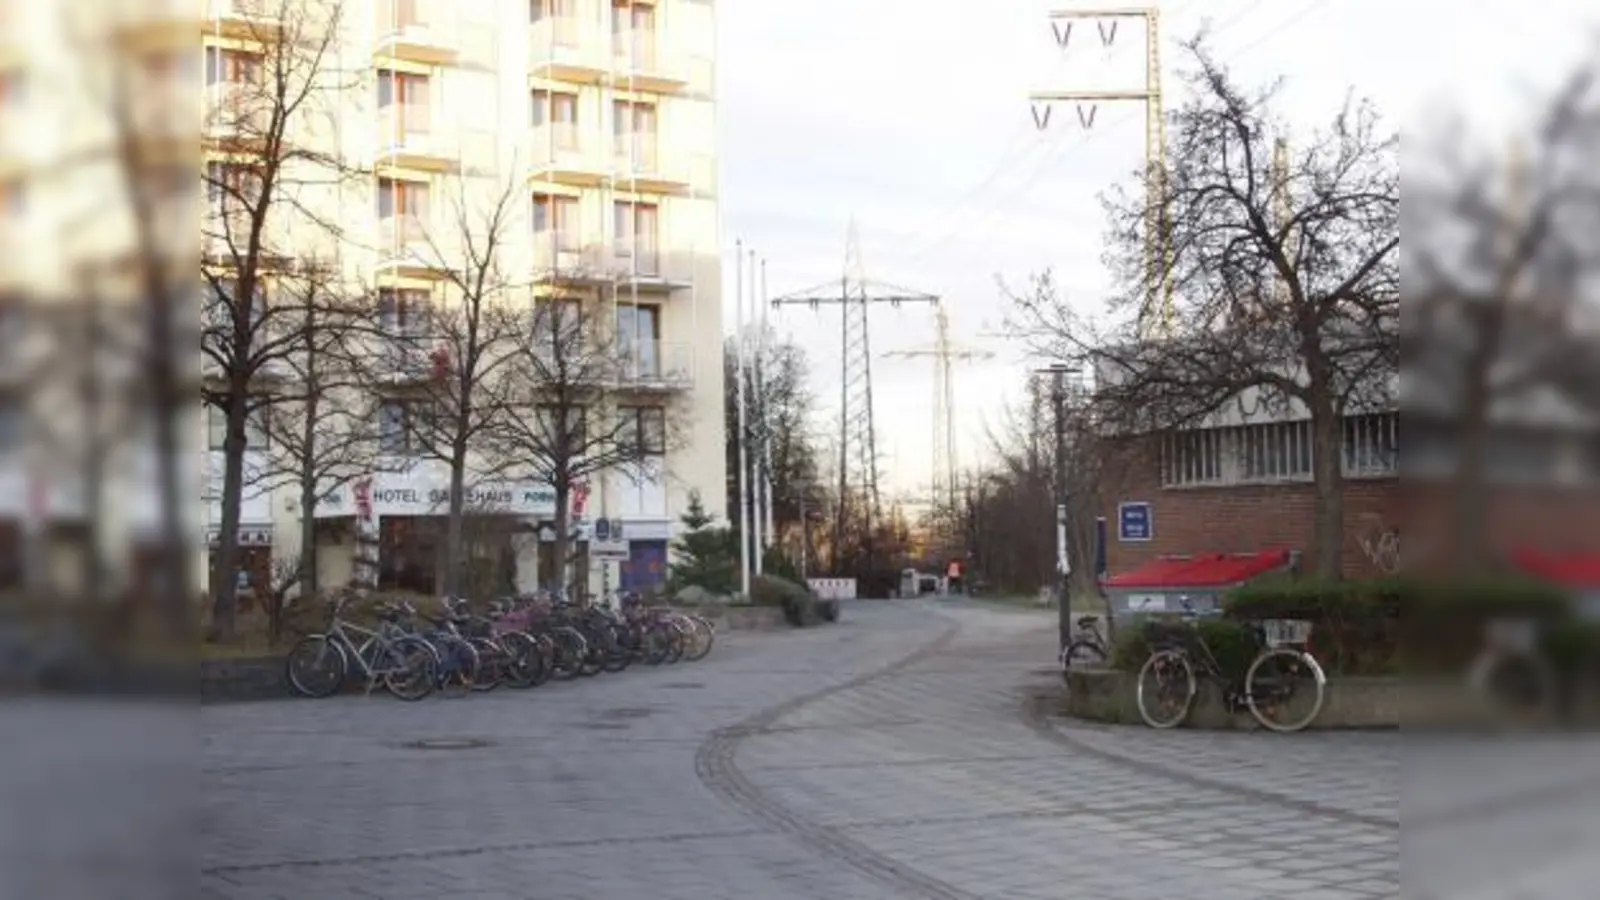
[[1282, 273]]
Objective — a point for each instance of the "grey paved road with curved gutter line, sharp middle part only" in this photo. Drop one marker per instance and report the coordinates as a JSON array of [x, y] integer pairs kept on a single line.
[[886, 758]]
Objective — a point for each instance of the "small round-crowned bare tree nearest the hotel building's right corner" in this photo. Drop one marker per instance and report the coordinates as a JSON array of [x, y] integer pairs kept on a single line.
[[588, 401]]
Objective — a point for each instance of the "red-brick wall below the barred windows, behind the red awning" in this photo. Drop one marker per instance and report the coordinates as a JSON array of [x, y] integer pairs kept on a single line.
[[1254, 518]]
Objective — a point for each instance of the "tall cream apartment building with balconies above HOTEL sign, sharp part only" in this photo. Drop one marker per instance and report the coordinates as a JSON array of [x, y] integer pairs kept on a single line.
[[599, 118]]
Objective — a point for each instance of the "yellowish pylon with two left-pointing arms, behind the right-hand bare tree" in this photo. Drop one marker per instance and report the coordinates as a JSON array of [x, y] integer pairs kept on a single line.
[[1158, 315]]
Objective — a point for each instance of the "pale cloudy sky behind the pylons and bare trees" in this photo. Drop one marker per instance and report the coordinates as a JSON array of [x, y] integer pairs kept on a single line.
[[913, 118]]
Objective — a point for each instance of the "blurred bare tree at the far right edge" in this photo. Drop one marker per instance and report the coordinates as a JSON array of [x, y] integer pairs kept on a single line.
[[1500, 262]]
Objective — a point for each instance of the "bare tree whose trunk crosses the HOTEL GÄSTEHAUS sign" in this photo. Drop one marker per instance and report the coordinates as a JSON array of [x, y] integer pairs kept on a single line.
[[454, 368]]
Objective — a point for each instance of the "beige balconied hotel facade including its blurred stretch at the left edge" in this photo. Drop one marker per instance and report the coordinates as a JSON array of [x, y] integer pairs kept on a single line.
[[590, 124]]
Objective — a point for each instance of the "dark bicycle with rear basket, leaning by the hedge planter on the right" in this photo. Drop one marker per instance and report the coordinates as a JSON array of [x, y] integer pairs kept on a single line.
[[1281, 675]]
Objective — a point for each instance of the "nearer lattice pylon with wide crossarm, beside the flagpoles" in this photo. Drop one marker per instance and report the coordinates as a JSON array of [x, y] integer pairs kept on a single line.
[[858, 448]]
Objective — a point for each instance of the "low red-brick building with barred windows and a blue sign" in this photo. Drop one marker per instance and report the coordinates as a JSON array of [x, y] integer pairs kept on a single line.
[[1244, 488]]
